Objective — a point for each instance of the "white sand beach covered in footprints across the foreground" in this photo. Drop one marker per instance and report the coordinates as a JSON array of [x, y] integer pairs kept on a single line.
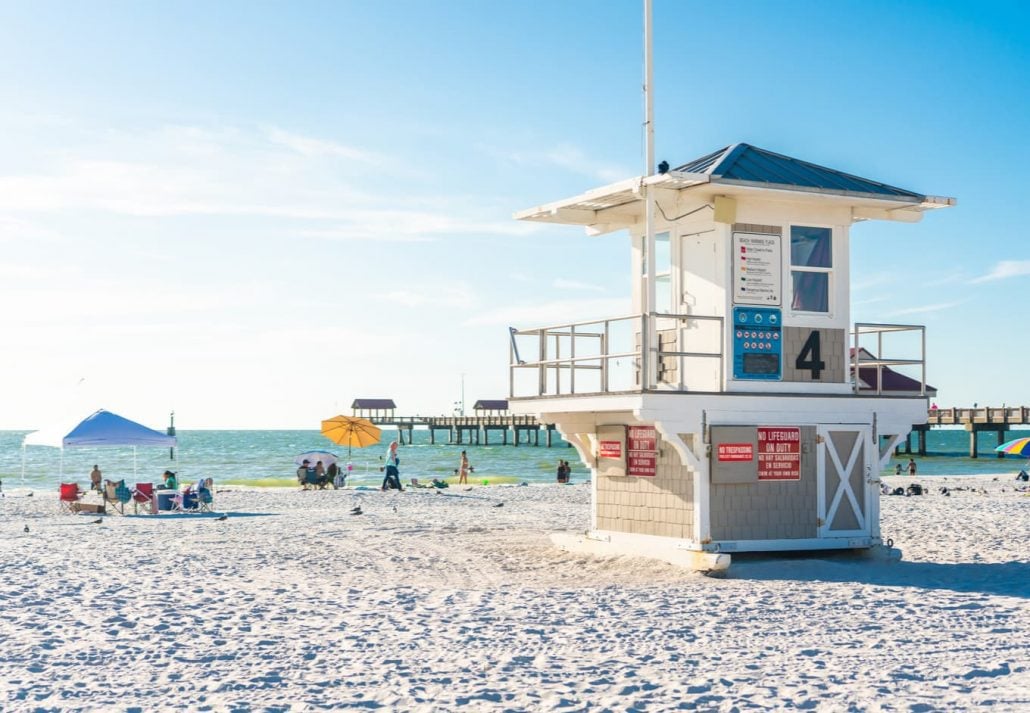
[[433, 602]]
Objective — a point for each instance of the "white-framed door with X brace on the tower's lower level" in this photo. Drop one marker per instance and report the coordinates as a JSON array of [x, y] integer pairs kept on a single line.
[[844, 481]]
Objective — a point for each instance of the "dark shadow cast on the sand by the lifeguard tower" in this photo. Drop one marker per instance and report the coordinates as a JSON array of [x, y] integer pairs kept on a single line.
[[1008, 579]]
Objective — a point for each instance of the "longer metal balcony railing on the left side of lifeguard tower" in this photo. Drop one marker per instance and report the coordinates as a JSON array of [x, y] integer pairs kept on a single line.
[[631, 354]]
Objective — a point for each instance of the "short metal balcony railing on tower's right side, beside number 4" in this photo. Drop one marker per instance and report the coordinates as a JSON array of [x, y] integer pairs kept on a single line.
[[871, 364]]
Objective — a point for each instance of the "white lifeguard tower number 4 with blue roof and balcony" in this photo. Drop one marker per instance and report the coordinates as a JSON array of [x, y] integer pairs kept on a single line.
[[727, 418]]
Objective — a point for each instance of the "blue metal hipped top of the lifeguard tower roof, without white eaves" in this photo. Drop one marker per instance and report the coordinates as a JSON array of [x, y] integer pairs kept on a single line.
[[746, 164]]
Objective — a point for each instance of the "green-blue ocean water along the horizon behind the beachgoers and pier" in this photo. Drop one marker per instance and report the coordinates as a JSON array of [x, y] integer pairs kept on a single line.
[[266, 458]]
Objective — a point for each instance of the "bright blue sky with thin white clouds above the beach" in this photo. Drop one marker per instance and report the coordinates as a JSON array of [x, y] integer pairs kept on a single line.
[[253, 214]]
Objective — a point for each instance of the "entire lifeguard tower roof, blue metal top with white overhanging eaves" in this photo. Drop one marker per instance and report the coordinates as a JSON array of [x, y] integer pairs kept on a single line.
[[737, 171]]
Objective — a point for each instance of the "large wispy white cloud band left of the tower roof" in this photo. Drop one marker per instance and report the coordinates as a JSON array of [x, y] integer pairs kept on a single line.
[[232, 172]]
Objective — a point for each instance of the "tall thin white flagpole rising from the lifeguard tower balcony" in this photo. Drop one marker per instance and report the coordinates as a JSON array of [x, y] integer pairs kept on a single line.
[[649, 376]]
